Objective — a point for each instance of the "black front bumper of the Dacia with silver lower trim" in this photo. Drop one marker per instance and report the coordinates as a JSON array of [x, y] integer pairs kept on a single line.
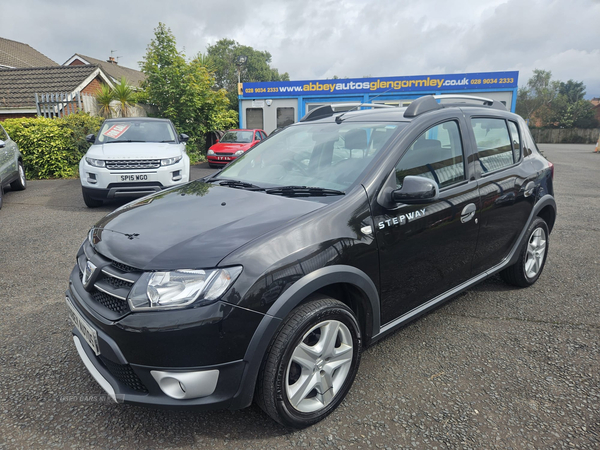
[[143, 357]]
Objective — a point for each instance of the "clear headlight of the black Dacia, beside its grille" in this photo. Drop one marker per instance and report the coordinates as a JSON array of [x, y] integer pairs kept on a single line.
[[180, 288]]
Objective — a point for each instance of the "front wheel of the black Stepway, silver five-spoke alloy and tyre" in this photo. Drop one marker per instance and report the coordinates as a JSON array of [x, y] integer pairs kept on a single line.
[[310, 364]]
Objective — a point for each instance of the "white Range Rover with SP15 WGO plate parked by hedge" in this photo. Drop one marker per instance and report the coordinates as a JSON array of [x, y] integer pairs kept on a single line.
[[133, 157]]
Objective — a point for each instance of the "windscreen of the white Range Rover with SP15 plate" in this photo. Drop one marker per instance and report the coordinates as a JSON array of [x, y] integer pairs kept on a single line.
[[135, 131]]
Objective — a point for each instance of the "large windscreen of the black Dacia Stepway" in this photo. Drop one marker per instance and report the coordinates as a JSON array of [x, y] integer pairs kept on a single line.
[[325, 155]]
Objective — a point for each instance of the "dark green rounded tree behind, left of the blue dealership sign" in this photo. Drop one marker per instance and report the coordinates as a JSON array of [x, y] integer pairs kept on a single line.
[[224, 54]]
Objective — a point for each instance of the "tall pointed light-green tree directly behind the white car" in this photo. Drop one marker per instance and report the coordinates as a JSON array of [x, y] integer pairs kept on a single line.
[[184, 91]]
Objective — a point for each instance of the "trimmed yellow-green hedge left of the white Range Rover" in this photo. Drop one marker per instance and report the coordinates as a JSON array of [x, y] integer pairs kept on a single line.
[[52, 148]]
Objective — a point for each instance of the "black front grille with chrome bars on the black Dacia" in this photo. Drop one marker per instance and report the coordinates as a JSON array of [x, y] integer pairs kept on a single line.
[[112, 286]]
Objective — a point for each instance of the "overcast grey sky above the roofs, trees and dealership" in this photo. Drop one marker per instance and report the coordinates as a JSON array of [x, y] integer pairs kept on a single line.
[[320, 39]]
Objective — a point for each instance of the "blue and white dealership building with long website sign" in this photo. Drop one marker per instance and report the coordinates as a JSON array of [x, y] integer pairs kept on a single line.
[[271, 105]]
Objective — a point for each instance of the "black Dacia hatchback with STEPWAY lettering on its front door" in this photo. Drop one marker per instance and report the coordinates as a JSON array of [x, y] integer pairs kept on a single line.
[[265, 281]]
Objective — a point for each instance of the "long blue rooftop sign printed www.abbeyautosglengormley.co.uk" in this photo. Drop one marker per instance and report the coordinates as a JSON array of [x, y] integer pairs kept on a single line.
[[430, 83]]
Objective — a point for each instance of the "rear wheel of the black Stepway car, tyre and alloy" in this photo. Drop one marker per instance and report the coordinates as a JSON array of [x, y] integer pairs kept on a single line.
[[532, 259]]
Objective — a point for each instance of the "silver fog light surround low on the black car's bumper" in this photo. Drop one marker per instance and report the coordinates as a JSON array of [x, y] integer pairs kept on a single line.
[[187, 385]]
